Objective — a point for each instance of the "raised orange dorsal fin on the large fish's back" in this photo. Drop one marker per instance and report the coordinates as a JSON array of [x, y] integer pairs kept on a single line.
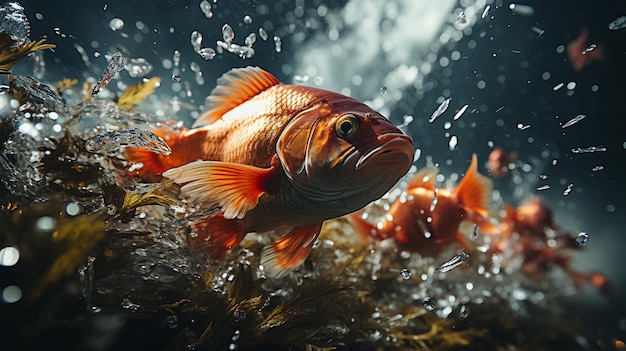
[[233, 89]]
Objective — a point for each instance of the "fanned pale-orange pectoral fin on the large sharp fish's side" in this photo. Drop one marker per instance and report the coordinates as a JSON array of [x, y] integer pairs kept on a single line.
[[234, 187]]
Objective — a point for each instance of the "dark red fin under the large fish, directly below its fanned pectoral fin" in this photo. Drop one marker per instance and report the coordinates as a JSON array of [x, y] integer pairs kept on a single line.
[[218, 235]]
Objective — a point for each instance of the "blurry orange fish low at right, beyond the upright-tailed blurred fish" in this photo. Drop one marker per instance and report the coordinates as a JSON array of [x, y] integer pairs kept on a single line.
[[530, 231]]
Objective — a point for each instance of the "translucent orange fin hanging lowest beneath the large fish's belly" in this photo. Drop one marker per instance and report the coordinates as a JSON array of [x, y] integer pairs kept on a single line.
[[288, 252]]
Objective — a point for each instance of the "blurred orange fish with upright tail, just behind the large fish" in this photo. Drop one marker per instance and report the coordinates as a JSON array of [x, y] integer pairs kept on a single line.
[[419, 224]]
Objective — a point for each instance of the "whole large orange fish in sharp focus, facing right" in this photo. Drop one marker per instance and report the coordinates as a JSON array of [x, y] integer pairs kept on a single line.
[[278, 157]]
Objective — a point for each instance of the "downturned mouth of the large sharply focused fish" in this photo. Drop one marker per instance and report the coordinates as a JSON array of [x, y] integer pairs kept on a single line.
[[394, 147]]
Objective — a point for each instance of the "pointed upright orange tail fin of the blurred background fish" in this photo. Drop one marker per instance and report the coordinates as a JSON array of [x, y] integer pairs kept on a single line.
[[474, 190]]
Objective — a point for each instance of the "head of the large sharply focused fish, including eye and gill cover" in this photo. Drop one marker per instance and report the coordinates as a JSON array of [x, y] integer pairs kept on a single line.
[[342, 149]]
